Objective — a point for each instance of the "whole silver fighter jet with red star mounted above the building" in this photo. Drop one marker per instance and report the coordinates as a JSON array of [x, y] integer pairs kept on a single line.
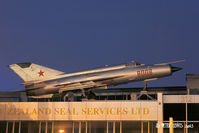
[[44, 82]]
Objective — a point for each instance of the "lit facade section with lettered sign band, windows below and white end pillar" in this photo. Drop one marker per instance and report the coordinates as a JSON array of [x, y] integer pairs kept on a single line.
[[81, 117]]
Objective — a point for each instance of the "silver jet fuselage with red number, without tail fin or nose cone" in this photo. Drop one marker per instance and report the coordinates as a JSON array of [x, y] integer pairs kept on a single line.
[[102, 79]]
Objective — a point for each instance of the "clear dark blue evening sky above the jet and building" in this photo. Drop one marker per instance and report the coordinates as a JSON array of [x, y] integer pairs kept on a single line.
[[76, 35]]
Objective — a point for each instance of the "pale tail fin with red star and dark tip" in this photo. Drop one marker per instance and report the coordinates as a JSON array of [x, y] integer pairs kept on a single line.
[[33, 72]]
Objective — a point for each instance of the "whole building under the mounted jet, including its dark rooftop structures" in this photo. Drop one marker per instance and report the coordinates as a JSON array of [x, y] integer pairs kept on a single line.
[[119, 110]]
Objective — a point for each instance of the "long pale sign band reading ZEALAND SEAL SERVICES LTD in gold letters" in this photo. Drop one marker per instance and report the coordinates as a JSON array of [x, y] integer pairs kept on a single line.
[[106, 110]]
